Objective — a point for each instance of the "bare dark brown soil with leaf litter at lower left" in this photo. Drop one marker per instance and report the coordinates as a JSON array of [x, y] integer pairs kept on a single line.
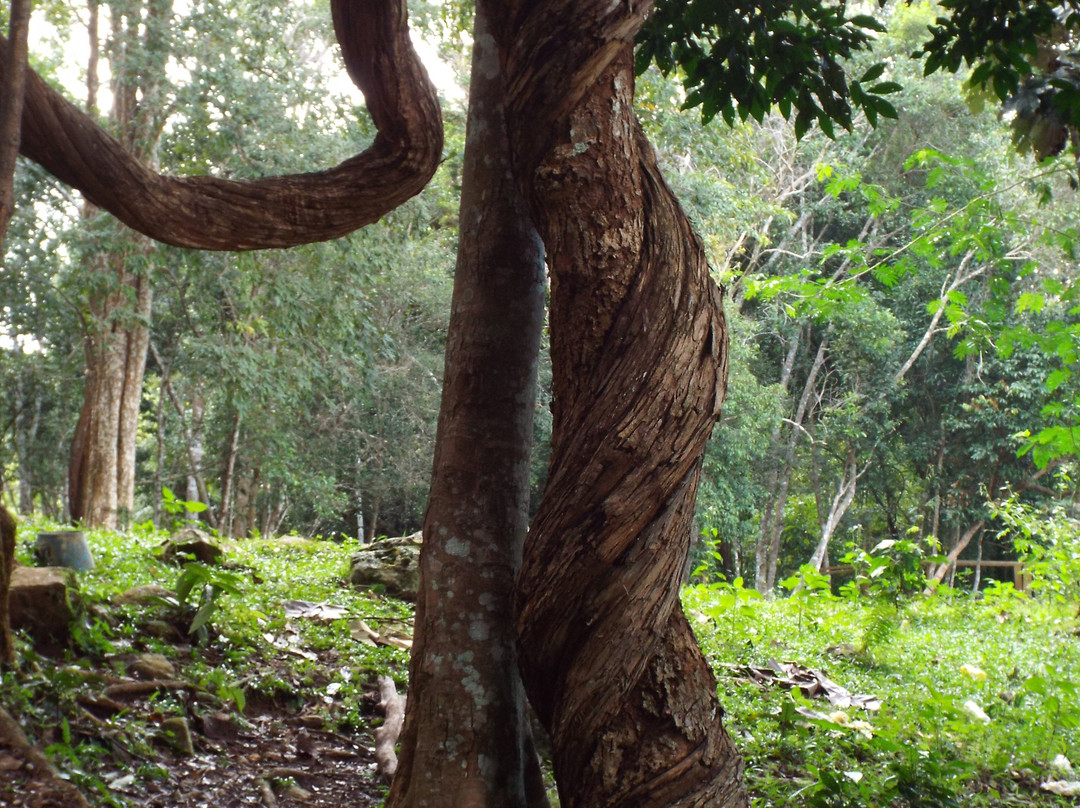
[[279, 755]]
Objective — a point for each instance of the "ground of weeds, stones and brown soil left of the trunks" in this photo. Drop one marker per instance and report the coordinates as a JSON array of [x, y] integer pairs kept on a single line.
[[272, 705]]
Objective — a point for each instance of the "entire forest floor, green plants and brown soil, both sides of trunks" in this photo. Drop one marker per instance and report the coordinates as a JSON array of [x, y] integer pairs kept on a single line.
[[839, 697]]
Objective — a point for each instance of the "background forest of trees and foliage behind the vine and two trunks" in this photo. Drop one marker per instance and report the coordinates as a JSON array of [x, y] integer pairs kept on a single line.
[[900, 297]]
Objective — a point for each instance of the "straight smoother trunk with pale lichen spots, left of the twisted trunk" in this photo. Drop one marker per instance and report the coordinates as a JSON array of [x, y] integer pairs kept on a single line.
[[466, 738]]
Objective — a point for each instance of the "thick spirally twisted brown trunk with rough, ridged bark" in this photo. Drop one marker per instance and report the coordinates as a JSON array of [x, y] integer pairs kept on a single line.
[[640, 361]]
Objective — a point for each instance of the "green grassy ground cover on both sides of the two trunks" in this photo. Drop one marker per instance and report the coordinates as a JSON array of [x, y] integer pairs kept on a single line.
[[929, 659]]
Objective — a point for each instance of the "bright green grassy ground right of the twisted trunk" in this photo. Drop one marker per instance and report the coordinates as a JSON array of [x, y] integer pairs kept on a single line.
[[931, 662]]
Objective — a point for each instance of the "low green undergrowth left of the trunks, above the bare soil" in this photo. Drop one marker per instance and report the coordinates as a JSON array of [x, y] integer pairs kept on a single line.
[[241, 655]]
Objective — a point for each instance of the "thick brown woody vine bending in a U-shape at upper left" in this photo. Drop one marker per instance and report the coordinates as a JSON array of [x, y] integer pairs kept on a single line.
[[220, 214]]
